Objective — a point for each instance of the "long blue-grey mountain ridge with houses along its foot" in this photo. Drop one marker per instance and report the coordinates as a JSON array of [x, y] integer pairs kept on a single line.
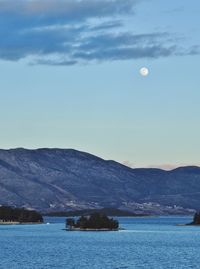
[[62, 179]]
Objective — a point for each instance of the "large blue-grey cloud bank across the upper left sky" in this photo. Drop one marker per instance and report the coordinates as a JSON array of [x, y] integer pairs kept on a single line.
[[69, 32]]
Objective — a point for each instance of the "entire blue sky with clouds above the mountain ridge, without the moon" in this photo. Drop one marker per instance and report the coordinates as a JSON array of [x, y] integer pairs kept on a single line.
[[70, 78]]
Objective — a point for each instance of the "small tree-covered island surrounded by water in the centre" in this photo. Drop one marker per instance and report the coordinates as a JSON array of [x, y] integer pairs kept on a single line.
[[94, 222]]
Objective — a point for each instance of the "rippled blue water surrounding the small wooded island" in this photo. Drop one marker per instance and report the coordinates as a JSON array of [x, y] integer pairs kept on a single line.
[[155, 243]]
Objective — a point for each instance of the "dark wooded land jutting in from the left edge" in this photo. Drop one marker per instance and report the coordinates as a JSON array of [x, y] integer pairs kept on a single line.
[[10, 215]]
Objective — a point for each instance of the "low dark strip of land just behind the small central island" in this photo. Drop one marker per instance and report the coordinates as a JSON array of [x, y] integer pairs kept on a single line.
[[86, 212]]
